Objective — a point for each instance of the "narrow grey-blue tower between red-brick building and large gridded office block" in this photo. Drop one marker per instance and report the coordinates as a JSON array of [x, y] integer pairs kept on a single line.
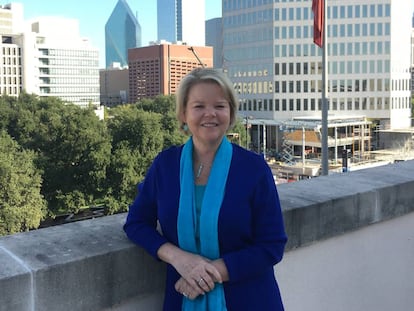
[[214, 38]]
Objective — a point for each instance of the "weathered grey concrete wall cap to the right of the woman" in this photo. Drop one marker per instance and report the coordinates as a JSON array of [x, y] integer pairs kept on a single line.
[[320, 208]]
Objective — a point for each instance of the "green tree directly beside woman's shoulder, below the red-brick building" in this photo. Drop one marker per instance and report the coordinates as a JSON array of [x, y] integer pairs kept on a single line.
[[137, 138]]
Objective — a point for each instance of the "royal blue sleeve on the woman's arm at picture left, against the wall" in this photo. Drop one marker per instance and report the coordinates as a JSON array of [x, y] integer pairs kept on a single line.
[[141, 222]]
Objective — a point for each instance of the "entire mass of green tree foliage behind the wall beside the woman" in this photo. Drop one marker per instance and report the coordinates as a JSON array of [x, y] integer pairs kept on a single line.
[[69, 159]]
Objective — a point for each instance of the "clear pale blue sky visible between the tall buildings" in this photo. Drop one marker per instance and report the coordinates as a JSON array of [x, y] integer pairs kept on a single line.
[[93, 15]]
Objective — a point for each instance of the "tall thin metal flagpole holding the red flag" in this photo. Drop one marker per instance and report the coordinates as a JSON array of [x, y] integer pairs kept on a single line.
[[324, 139]]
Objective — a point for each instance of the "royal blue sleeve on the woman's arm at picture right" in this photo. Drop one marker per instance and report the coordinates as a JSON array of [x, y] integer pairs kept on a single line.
[[265, 248]]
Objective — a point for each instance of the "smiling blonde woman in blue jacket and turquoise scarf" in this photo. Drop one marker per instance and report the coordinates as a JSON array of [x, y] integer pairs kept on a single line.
[[217, 206]]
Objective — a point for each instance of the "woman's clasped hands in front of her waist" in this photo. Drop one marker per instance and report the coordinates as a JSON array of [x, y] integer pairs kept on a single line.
[[198, 275]]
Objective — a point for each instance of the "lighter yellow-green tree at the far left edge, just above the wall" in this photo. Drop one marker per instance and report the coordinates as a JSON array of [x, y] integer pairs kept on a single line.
[[22, 206]]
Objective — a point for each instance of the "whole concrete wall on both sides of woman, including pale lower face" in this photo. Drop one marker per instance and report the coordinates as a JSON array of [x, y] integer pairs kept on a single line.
[[351, 247]]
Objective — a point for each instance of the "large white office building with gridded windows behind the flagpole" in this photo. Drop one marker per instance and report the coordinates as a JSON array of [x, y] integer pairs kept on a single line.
[[277, 69]]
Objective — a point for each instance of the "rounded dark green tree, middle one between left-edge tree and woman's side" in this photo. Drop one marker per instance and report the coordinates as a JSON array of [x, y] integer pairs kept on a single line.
[[75, 152]]
